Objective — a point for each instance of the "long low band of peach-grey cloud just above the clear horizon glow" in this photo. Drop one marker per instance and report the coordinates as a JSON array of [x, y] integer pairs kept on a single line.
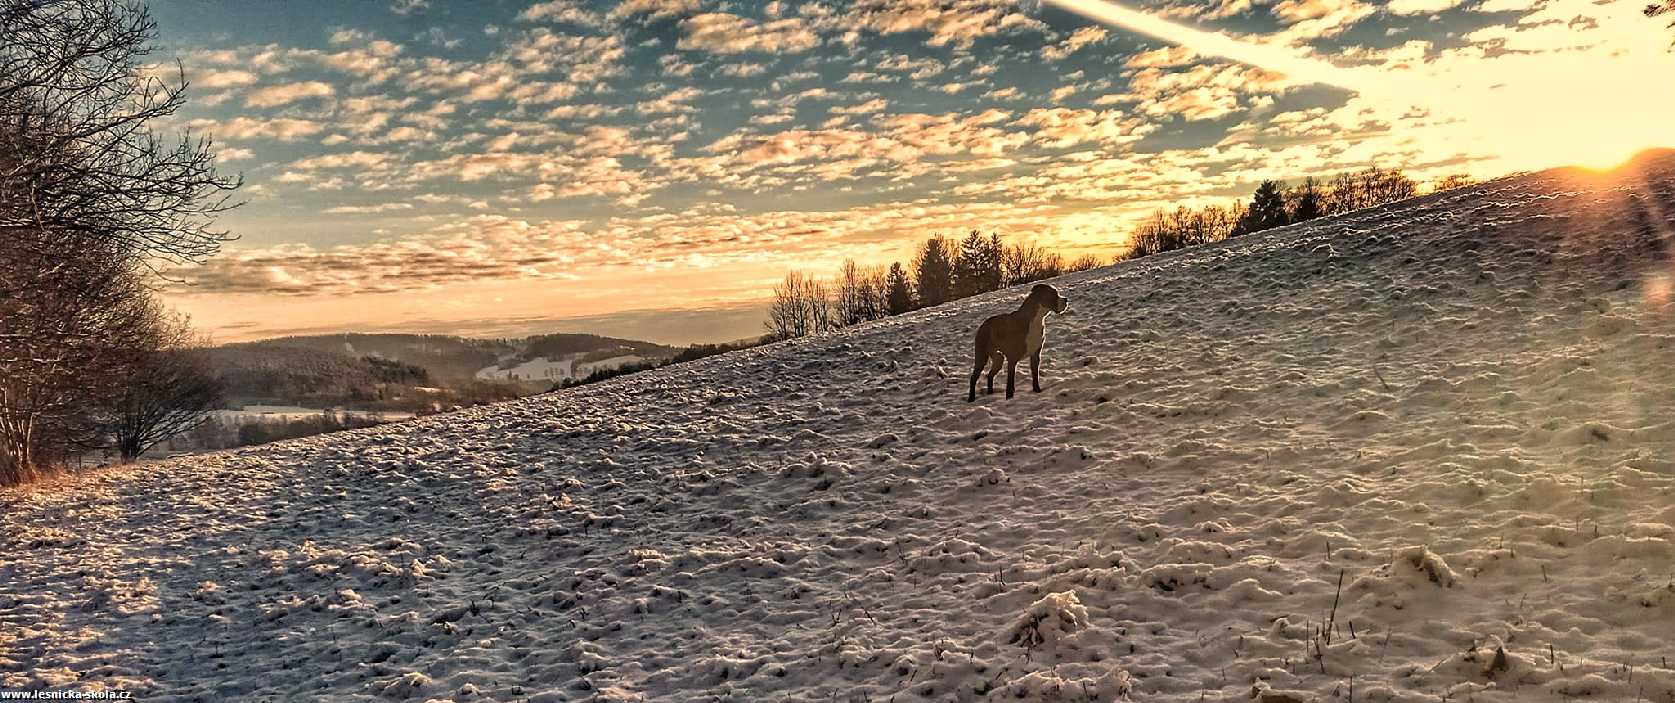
[[490, 249]]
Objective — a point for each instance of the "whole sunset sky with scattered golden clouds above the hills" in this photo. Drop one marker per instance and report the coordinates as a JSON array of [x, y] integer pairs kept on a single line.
[[652, 168]]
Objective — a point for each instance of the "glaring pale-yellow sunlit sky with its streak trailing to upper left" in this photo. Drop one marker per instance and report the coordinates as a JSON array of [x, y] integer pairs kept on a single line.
[[1590, 106]]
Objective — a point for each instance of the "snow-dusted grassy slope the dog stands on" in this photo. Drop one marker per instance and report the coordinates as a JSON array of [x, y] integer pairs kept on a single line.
[[1456, 408]]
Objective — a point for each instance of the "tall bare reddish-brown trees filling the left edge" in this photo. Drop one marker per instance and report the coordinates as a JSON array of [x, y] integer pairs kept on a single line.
[[91, 198]]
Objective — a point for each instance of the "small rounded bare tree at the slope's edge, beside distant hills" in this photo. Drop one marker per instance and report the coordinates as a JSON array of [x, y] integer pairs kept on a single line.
[[170, 393]]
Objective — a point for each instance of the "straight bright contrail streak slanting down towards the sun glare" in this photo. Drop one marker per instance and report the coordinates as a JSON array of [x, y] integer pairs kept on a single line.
[[1215, 44]]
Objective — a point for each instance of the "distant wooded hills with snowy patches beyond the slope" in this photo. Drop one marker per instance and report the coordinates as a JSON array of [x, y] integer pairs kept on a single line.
[[415, 372]]
